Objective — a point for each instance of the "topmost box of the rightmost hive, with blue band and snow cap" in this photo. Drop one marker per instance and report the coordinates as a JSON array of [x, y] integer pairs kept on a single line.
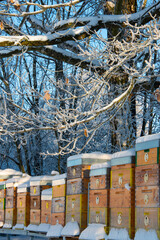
[[148, 150]]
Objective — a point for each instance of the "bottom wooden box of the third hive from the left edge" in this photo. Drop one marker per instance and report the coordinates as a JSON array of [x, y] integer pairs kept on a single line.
[[23, 216]]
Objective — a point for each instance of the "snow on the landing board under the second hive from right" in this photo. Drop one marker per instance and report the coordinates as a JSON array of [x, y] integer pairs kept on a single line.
[[118, 234]]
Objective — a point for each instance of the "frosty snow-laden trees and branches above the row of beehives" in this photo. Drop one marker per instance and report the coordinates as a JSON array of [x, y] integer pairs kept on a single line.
[[88, 80]]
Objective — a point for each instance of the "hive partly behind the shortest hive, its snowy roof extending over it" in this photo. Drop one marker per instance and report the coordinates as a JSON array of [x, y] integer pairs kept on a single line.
[[37, 185]]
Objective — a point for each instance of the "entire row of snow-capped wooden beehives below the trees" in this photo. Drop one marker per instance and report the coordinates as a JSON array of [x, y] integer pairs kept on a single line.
[[118, 191]]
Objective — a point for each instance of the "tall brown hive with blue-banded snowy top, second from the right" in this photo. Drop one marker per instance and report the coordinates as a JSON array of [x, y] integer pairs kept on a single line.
[[122, 193]]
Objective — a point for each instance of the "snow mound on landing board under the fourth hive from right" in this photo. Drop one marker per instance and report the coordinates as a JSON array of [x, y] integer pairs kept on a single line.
[[71, 229]]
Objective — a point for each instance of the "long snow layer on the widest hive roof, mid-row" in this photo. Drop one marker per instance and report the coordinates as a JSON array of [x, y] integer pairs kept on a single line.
[[93, 155]]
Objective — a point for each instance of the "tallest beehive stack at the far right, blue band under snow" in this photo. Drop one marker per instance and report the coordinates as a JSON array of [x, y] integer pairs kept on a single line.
[[147, 182]]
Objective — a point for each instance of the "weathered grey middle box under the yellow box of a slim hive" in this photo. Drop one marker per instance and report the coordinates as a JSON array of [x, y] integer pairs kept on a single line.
[[58, 205]]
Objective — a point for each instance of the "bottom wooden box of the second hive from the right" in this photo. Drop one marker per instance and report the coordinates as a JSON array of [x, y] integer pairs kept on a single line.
[[123, 218]]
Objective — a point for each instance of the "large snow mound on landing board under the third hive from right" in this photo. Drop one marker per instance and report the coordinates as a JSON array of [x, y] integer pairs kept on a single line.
[[93, 232]]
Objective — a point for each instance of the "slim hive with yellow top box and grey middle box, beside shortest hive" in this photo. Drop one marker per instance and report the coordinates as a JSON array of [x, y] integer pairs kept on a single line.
[[59, 199]]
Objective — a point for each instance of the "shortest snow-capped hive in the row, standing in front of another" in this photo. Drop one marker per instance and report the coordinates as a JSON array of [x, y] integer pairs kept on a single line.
[[46, 203]]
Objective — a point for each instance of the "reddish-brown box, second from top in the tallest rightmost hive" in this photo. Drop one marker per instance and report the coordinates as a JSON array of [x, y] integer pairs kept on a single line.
[[147, 175]]
